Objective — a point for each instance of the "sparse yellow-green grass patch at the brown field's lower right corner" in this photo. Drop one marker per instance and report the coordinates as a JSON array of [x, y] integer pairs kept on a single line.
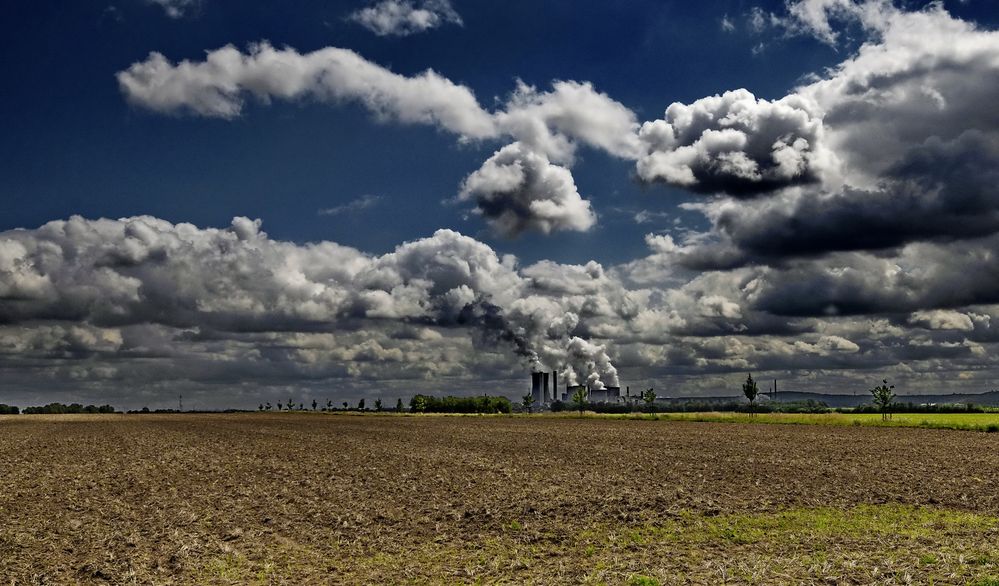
[[931, 544]]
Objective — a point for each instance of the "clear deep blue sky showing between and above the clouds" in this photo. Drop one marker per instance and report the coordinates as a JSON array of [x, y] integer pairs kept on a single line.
[[72, 145]]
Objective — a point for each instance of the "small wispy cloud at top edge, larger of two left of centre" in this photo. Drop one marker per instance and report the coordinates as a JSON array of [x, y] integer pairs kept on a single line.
[[404, 17]]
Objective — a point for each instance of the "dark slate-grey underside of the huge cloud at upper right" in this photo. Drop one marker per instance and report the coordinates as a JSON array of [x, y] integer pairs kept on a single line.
[[939, 191]]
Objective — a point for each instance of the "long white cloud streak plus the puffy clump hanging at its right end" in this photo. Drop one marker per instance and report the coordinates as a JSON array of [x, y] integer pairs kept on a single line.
[[547, 126]]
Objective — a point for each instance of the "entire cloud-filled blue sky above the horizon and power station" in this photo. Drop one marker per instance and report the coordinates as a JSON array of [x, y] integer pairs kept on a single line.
[[244, 201]]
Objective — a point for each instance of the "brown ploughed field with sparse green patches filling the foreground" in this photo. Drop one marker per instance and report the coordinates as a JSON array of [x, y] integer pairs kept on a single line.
[[325, 499]]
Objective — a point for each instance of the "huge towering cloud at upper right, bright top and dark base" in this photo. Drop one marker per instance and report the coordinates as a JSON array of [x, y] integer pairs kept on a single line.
[[917, 145]]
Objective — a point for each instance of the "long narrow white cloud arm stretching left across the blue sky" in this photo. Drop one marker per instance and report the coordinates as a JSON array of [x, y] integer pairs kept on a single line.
[[217, 87]]
